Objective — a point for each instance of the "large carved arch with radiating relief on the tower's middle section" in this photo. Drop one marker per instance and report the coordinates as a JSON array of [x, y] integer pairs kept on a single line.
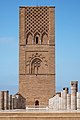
[[35, 62]]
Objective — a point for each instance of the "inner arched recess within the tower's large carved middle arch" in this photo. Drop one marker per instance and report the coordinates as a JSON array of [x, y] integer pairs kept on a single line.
[[36, 63]]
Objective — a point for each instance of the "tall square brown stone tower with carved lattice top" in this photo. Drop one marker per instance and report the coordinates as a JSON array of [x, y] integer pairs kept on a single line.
[[37, 55]]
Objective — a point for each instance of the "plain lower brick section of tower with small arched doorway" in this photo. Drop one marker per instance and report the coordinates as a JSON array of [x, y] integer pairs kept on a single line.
[[37, 90]]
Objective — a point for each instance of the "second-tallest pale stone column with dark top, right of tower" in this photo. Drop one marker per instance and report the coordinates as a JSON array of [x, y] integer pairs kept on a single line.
[[64, 97]]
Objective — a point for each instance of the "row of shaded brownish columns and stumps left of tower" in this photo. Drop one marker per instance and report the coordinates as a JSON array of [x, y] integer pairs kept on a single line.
[[9, 102]]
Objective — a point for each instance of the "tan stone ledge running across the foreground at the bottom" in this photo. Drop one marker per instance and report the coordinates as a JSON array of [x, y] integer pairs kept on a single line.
[[39, 115]]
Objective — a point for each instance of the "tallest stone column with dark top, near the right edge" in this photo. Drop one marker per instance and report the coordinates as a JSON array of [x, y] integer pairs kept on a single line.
[[74, 90]]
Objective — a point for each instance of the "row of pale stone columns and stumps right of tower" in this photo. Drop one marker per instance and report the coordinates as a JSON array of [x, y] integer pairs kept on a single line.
[[66, 101]]
